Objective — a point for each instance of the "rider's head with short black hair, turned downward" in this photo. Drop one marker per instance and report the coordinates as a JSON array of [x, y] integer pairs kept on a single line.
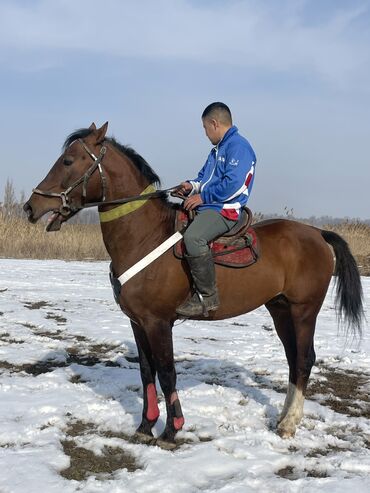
[[217, 120]]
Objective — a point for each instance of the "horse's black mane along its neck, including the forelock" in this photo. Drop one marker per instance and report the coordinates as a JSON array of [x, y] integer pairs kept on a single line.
[[140, 163]]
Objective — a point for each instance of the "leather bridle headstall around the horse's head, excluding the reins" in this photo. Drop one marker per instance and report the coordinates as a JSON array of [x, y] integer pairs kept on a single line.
[[66, 208]]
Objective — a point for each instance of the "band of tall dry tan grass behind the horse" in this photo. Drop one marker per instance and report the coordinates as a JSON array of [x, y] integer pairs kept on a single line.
[[20, 239]]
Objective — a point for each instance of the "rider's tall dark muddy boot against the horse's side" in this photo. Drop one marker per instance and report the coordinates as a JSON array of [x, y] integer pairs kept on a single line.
[[205, 298]]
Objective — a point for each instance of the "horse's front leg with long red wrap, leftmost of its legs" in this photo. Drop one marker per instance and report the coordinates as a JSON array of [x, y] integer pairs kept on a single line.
[[147, 371]]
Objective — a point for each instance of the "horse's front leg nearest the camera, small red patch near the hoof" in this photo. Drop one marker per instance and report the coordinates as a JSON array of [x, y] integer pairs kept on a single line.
[[160, 337]]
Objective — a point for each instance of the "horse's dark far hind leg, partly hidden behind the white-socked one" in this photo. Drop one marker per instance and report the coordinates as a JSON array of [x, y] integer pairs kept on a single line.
[[280, 312]]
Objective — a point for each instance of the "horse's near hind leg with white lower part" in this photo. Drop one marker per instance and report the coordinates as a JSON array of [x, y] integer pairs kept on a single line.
[[304, 320]]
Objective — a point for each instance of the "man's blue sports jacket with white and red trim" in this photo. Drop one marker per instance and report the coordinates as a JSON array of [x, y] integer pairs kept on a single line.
[[226, 179]]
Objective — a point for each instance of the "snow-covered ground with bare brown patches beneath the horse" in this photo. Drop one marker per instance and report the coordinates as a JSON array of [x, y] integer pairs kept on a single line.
[[71, 397]]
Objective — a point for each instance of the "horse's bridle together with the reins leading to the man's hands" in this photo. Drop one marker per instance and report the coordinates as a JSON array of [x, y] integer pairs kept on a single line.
[[68, 208]]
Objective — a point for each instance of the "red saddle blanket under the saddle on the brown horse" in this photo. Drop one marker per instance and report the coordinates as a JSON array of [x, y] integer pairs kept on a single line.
[[240, 250]]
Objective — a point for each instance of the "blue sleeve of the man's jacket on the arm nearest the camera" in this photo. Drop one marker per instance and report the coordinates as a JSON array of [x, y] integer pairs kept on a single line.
[[237, 177]]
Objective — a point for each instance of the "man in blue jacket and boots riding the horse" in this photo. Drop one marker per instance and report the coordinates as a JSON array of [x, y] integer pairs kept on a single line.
[[218, 194]]
